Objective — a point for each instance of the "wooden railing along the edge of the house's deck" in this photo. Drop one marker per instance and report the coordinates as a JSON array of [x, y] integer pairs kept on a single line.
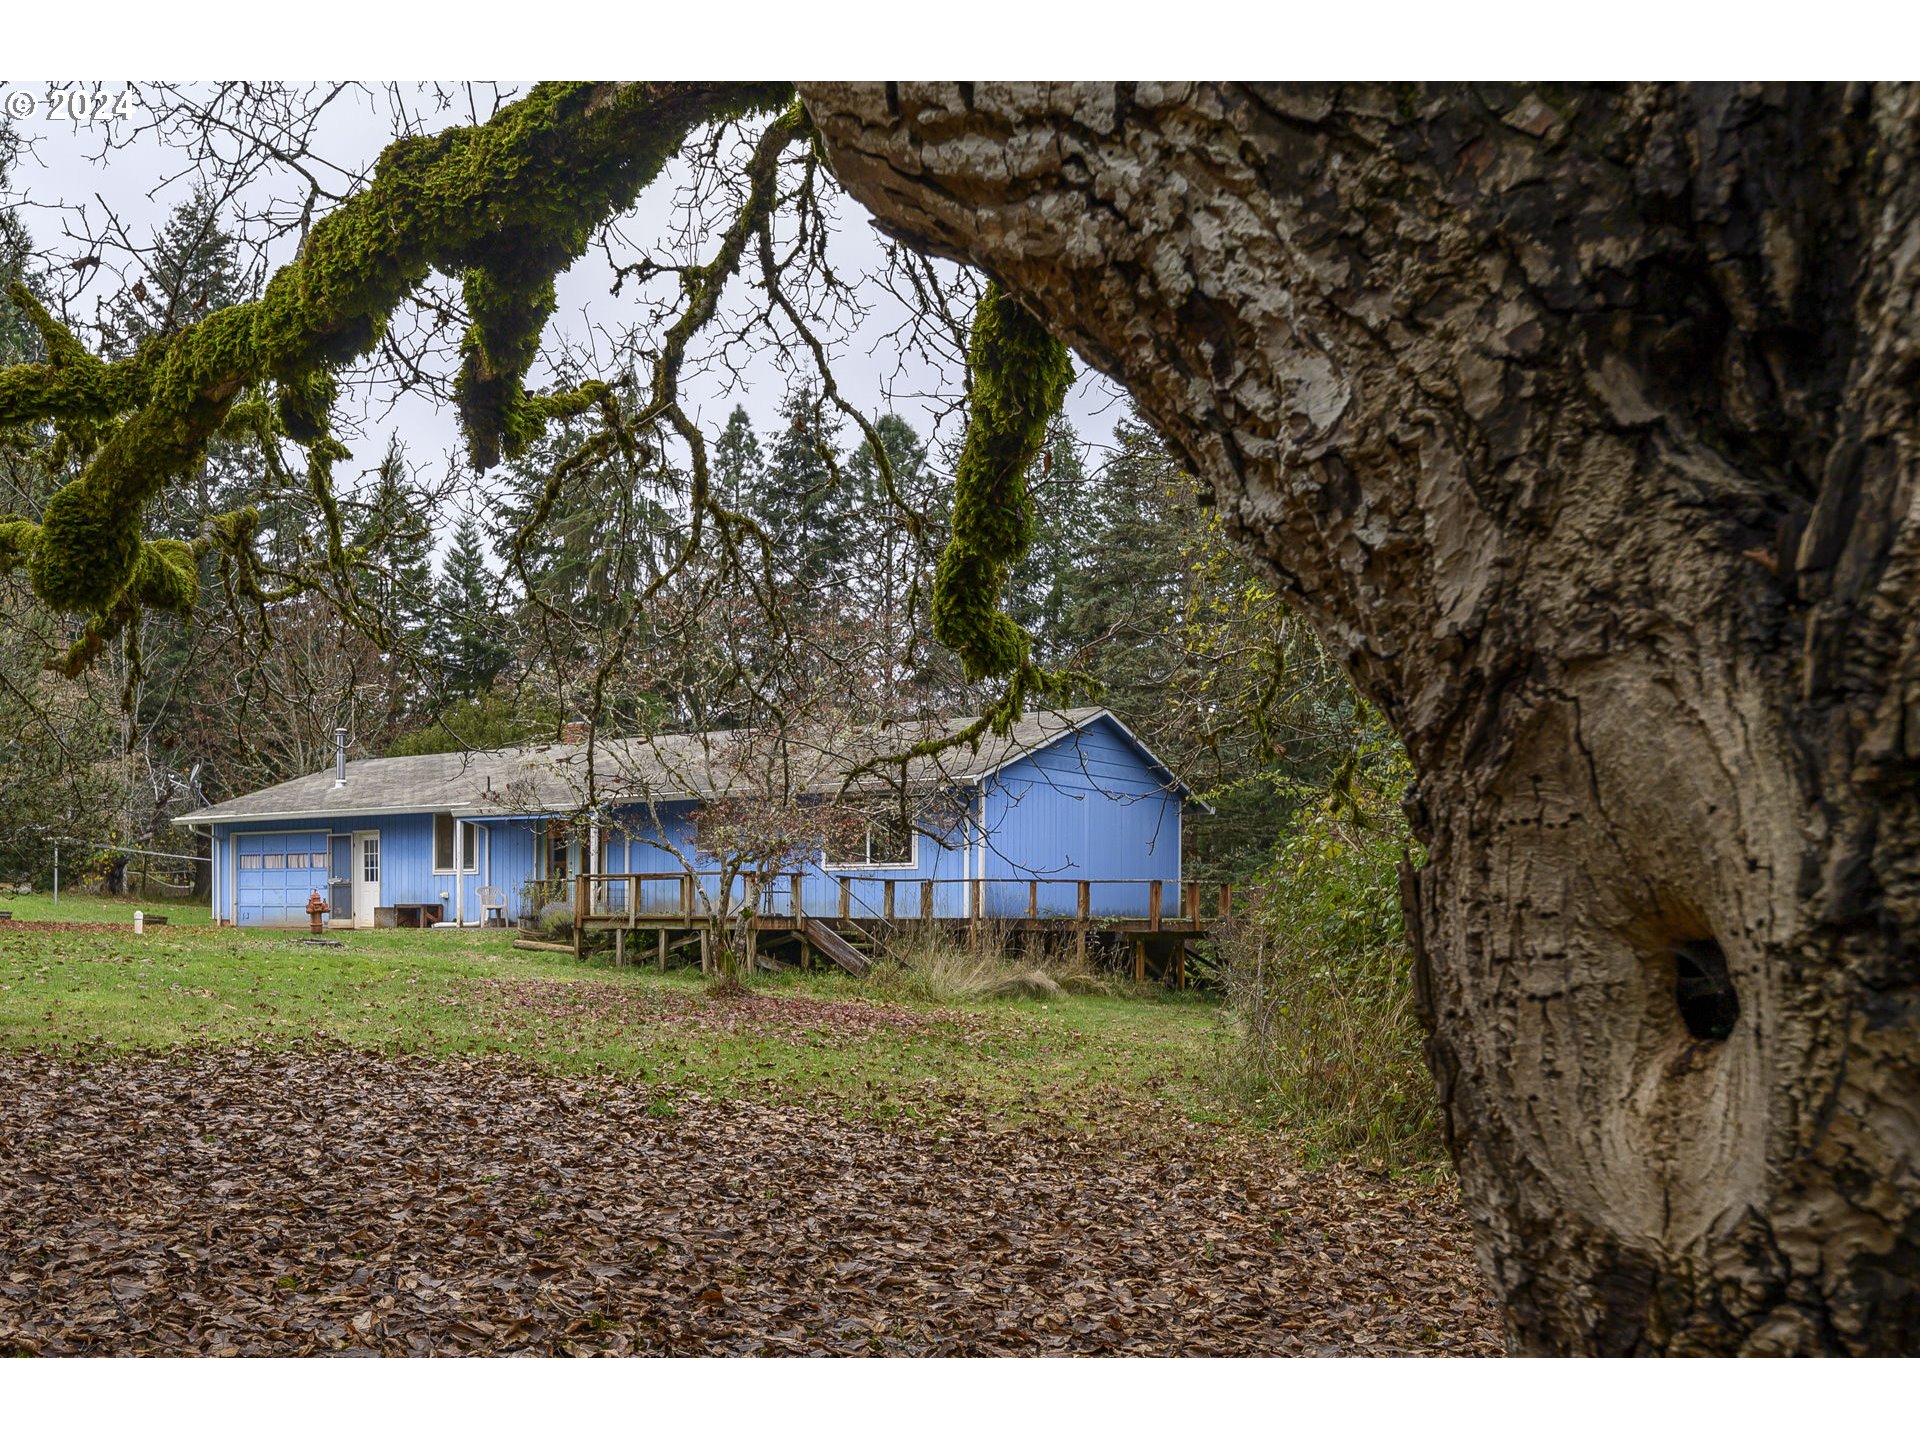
[[690, 896]]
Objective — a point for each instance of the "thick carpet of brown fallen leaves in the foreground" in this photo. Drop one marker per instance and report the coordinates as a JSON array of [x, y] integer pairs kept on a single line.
[[297, 1201]]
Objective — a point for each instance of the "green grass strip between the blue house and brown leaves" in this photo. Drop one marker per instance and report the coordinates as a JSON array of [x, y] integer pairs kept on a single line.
[[825, 1040]]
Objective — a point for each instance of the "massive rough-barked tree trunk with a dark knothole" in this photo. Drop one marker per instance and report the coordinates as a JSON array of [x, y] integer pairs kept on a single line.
[[1583, 427]]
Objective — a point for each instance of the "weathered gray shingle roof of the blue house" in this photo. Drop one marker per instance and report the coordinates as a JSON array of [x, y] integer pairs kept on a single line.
[[556, 779]]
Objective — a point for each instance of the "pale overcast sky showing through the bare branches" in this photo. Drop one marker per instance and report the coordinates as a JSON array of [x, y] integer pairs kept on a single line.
[[66, 189]]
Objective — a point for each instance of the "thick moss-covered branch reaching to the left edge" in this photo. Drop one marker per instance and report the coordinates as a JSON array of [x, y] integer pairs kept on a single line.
[[504, 204]]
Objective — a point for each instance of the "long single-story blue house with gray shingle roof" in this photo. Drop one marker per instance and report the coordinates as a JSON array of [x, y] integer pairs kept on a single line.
[[1068, 815]]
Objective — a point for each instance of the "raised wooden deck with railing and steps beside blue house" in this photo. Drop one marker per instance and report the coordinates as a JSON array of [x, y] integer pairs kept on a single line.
[[673, 909]]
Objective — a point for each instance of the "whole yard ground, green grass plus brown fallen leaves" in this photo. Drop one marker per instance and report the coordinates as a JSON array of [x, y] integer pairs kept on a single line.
[[224, 1141]]
